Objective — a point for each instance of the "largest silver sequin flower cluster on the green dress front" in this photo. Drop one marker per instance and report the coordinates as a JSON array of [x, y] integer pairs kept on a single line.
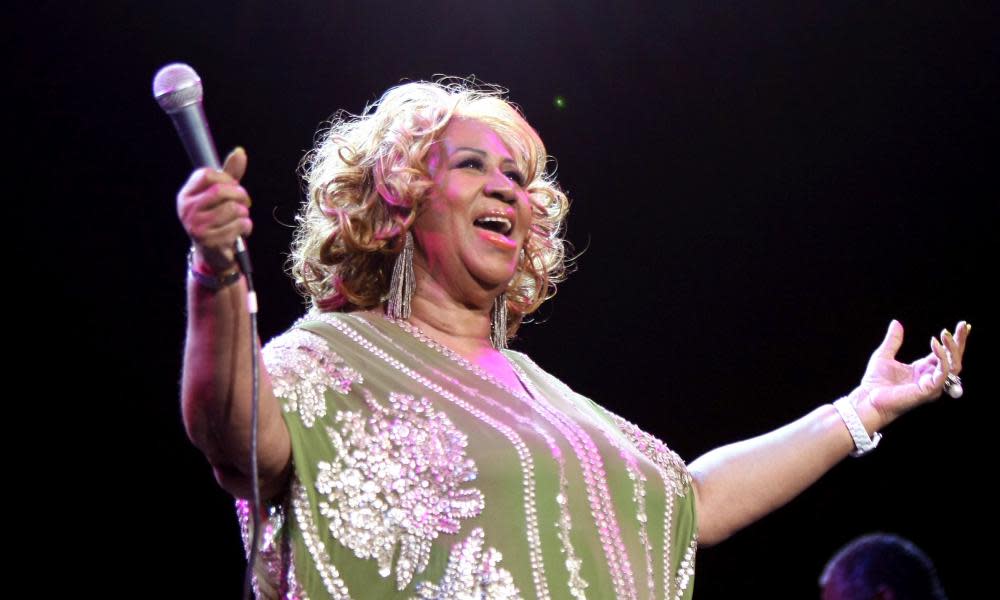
[[397, 481]]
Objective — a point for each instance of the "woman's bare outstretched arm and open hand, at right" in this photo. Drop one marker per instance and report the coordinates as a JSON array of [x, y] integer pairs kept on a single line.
[[738, 484]]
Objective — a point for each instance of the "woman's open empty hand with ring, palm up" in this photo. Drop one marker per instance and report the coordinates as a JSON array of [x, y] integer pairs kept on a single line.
[[893, 388]]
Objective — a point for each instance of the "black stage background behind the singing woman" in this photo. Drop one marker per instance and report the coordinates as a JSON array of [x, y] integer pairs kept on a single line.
[[758, 189]]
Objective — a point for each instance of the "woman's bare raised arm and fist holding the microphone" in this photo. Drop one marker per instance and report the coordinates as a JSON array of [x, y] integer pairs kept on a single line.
[[216, 380]]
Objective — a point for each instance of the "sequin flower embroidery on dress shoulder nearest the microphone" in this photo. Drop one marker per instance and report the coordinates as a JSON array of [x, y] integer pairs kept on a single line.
[[302, 367]]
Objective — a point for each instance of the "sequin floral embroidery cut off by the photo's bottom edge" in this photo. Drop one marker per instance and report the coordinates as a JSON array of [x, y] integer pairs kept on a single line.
[[473, 573]]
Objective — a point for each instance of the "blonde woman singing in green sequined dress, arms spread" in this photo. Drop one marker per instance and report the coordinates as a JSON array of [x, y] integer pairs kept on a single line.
[[404, 451]]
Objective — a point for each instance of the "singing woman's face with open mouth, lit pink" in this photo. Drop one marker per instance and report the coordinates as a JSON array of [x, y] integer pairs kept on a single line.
[[477, 216]]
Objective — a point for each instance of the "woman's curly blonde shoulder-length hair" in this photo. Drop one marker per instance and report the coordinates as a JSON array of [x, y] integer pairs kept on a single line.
[[367, 178]]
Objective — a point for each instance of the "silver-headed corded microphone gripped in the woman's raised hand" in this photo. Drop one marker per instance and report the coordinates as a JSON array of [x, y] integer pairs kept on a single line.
[[177, 88]]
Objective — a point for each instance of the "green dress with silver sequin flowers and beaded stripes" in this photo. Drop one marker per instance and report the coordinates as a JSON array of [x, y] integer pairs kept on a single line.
[[418, 475]]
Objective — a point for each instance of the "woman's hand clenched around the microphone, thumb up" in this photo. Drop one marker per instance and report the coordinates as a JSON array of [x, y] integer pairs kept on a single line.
[[215, 209]]
